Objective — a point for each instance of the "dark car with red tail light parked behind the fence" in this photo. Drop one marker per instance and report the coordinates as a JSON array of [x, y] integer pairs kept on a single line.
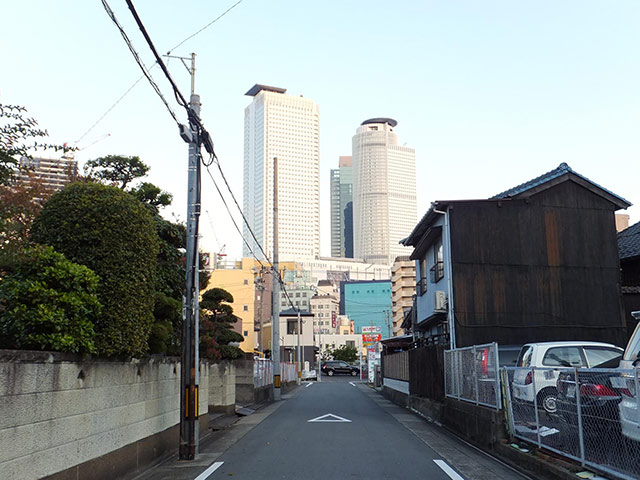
[[599, 395]]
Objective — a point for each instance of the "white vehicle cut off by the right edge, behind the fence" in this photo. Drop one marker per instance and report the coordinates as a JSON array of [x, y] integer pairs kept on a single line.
[[628, 407]]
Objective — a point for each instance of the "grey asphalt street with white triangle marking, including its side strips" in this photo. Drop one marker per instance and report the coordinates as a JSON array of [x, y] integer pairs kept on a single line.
[[333, 430]]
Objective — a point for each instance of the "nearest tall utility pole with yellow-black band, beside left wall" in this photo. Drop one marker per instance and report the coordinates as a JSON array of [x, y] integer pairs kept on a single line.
[[190, 365]]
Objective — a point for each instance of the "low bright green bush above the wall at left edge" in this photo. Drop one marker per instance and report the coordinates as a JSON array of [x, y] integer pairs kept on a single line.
[[48, 303]]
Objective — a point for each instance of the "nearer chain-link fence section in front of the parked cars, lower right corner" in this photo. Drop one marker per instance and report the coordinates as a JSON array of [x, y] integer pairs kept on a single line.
[[590, 415]]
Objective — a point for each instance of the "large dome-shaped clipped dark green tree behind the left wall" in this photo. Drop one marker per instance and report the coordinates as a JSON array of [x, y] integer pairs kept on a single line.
[[112, 233]]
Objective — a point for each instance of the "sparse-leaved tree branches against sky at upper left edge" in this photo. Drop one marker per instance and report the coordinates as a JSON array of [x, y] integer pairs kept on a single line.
[[19, 136]]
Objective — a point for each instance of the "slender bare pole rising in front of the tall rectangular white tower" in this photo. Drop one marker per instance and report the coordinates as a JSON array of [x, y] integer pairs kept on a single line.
[[275, 319]]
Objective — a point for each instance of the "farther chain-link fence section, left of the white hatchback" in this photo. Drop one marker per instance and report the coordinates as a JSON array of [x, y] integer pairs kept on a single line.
[[471, 374]]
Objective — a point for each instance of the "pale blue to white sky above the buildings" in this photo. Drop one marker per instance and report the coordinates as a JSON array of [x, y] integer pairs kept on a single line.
[[489, 93]]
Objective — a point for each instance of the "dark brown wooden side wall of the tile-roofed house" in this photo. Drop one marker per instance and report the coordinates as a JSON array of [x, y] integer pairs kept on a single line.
[[540, 269]]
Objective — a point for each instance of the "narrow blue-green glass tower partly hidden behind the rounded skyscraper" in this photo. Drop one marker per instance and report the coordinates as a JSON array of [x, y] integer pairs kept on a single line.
[[342, 209]]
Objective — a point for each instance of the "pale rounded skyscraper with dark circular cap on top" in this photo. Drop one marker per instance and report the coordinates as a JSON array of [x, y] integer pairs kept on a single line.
[[384, 192]]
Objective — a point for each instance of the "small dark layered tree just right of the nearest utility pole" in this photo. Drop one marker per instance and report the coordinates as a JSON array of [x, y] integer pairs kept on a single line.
[[216, 332]]
